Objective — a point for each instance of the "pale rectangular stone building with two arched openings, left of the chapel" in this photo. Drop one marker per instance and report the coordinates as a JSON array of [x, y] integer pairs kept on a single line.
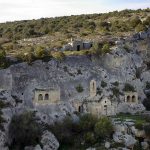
[[46, 96]]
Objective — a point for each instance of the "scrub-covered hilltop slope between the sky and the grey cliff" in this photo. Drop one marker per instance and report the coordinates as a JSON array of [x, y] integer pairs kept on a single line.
[[32, 37]]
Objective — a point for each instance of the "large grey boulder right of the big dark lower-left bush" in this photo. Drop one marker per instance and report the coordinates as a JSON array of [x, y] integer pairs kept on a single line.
[[49, 141]]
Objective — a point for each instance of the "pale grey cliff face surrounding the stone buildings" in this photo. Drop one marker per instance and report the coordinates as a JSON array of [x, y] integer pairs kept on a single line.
[[127, 64]]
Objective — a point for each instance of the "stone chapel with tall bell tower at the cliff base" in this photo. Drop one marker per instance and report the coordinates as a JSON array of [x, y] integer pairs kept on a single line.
[[95, 104]]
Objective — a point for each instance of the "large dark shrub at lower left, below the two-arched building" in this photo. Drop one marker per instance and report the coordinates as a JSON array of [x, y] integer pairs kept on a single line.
[[24, 131]]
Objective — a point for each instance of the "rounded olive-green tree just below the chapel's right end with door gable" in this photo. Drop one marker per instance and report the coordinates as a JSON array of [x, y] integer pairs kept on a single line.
[[103, 128]]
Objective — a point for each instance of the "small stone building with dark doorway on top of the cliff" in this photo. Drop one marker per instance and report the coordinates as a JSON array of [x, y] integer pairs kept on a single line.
[[77, 45]]
